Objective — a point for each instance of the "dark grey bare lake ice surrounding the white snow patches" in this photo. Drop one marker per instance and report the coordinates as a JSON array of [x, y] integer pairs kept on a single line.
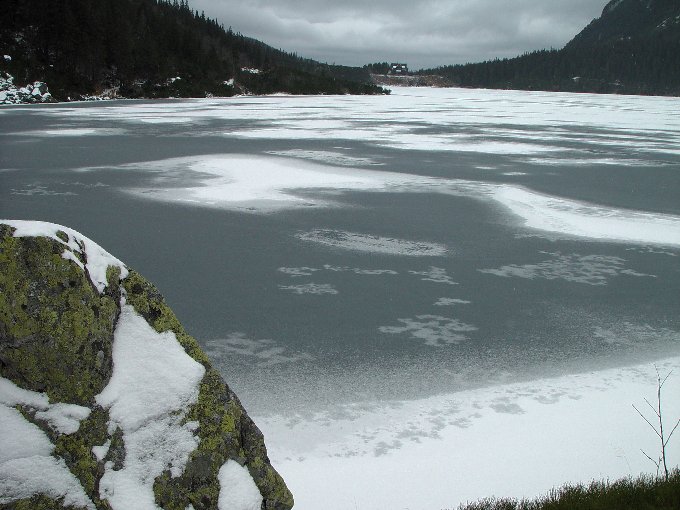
[[517, 303]]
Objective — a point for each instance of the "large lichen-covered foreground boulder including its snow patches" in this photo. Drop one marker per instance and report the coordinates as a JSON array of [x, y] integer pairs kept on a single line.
[[105, 401]]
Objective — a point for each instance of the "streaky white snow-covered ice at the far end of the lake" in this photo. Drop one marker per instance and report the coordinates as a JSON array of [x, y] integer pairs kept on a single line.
[[500, 122]]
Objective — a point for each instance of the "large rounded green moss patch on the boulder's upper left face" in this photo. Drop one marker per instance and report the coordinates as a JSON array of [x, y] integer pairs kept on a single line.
[[56, 330]]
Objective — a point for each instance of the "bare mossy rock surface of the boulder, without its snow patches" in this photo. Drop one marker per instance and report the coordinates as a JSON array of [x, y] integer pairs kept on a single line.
[[56, 337]]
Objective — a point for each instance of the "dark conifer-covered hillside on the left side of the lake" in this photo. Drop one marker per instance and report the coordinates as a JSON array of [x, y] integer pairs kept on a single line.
[[152, 48]]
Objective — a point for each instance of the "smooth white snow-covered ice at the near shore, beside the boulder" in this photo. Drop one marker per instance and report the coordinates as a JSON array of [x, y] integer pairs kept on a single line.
[[513, 440]]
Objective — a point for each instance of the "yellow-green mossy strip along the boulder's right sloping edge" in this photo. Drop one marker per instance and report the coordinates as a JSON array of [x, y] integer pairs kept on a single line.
[[225, 430]]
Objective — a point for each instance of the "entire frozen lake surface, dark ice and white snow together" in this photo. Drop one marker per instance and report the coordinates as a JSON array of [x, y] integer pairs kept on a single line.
[[424, 298]]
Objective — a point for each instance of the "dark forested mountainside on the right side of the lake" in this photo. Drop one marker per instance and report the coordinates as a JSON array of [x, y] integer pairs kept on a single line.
[[632, 48]]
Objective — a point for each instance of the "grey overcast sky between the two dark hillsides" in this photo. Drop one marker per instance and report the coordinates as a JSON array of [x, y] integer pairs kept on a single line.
[[422, 33]]
